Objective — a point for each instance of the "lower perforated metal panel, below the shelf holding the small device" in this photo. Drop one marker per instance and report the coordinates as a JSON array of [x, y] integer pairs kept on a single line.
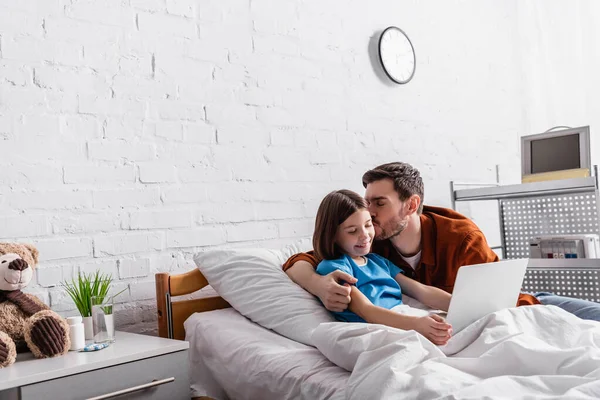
[[570, 282]]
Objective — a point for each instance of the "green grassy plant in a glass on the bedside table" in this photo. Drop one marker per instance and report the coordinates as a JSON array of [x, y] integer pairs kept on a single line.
[[82, 289]]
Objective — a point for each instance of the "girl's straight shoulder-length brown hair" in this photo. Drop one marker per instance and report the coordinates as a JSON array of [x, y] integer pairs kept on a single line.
[[334, 209]]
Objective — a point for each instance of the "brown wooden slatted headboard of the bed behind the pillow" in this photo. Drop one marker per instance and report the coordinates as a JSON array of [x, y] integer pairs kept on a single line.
[[172, 314]]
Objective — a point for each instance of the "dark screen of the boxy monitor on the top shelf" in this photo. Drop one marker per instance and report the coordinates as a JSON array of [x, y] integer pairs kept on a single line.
[[555, 154]]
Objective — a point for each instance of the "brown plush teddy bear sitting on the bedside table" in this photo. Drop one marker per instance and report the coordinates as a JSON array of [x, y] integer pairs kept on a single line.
[[26, 322]]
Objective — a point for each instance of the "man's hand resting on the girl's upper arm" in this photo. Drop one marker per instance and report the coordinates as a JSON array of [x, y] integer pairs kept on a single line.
[[333, 295]]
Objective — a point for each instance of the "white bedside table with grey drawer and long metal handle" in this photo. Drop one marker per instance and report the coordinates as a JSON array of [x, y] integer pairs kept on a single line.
[[134, 367]]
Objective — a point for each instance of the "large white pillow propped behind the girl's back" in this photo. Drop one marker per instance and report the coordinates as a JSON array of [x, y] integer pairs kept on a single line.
[[252, 281]]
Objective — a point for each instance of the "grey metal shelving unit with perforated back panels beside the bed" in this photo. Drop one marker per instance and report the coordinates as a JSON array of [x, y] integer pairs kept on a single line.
[[561, 207]]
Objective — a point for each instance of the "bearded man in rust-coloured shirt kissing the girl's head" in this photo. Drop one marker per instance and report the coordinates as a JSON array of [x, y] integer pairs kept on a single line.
[[428, 243]]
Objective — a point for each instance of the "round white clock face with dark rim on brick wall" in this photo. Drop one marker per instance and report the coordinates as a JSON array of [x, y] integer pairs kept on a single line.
[[397, 55]]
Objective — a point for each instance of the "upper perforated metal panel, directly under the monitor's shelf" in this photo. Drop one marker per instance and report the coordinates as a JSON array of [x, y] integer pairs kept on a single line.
[[525, 218]]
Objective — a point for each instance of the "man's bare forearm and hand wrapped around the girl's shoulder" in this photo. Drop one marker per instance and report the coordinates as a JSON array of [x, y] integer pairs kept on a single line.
[[333, 295]]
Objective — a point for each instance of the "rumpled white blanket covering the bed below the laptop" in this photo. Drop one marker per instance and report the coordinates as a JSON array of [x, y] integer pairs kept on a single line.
[[535, 352]]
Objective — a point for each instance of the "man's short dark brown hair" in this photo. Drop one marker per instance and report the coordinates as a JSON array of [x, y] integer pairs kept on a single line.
[[407, 180]]
